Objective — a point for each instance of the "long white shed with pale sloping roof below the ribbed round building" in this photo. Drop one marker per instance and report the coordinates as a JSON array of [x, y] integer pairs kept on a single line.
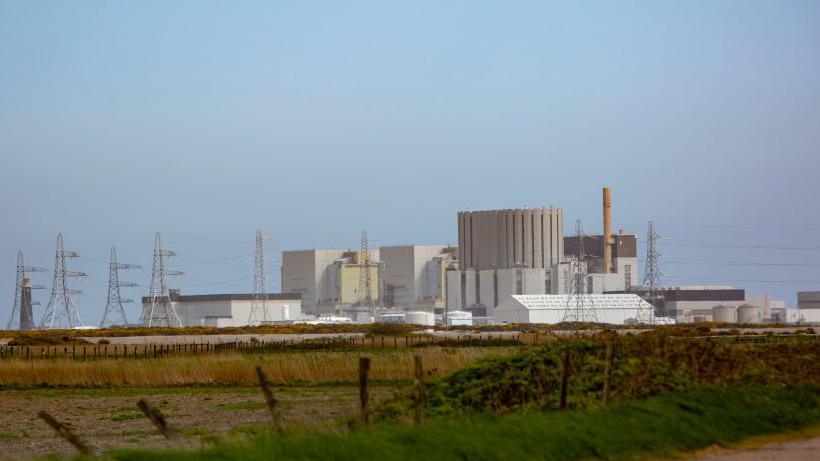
[[610, 308]]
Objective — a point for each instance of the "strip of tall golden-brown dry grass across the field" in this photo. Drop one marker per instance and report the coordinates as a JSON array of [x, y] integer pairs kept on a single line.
[[234, 369]]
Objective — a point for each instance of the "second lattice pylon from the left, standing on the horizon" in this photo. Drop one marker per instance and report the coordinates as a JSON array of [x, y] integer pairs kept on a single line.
[[61, 311]]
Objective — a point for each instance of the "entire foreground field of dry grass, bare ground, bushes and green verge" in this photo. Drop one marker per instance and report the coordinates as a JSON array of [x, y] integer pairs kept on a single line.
[[215, 402]]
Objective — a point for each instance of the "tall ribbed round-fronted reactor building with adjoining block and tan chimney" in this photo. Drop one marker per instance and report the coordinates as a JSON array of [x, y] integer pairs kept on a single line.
[[503, 253]]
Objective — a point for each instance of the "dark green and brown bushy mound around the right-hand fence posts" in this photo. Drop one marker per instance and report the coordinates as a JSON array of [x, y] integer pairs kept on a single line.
[[642, 366]]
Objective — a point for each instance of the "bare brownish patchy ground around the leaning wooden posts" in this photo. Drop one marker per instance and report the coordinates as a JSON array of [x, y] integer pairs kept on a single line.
[[109, 418]]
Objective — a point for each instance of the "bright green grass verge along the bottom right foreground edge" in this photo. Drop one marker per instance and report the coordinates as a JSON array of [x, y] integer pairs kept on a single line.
[[662, 426]]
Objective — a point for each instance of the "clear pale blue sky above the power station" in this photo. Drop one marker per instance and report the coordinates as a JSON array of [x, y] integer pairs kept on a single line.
[[313, 121]]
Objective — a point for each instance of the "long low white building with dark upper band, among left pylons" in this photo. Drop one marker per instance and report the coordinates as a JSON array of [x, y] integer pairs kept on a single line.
[[230, 310]]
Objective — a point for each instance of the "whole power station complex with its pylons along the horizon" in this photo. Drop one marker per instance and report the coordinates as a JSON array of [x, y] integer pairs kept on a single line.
[[510, 266]]
